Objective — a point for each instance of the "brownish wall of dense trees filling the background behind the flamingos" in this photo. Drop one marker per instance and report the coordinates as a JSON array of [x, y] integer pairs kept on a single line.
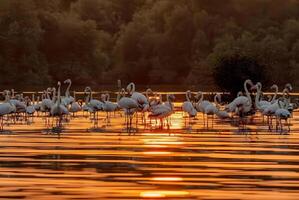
[[146, 41]]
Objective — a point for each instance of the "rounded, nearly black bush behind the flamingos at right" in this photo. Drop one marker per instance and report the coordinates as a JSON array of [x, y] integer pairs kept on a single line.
[[231, 72]]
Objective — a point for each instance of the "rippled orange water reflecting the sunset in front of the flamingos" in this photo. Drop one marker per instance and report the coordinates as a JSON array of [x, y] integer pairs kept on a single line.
[[182, 161]]
